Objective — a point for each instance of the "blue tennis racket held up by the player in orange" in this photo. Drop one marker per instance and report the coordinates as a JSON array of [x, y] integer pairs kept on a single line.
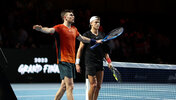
[[112, 35]]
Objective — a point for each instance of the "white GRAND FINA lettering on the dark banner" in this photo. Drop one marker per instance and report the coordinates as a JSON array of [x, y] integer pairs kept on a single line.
[[36, 68]]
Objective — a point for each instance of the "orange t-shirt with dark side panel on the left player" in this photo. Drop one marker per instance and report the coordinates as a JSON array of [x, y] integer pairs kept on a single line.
[[65, 43]]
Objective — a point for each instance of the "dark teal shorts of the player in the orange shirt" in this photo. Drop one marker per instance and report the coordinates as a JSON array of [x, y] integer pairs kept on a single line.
[[67, 69]]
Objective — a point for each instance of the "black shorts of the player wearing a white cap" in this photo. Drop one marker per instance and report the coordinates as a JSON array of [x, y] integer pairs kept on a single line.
[[91, 70]]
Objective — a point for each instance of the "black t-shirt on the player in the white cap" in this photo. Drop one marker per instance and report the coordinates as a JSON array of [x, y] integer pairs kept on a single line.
[[95, 57]]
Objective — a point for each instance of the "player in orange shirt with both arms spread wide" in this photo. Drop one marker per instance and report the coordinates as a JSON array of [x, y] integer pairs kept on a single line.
[[65, 35]]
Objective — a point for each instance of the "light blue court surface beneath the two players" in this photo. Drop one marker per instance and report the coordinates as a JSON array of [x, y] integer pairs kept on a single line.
[[109, 91]]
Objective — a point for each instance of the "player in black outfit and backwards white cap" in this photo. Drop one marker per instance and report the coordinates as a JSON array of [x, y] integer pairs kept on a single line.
[[93, 58]]
